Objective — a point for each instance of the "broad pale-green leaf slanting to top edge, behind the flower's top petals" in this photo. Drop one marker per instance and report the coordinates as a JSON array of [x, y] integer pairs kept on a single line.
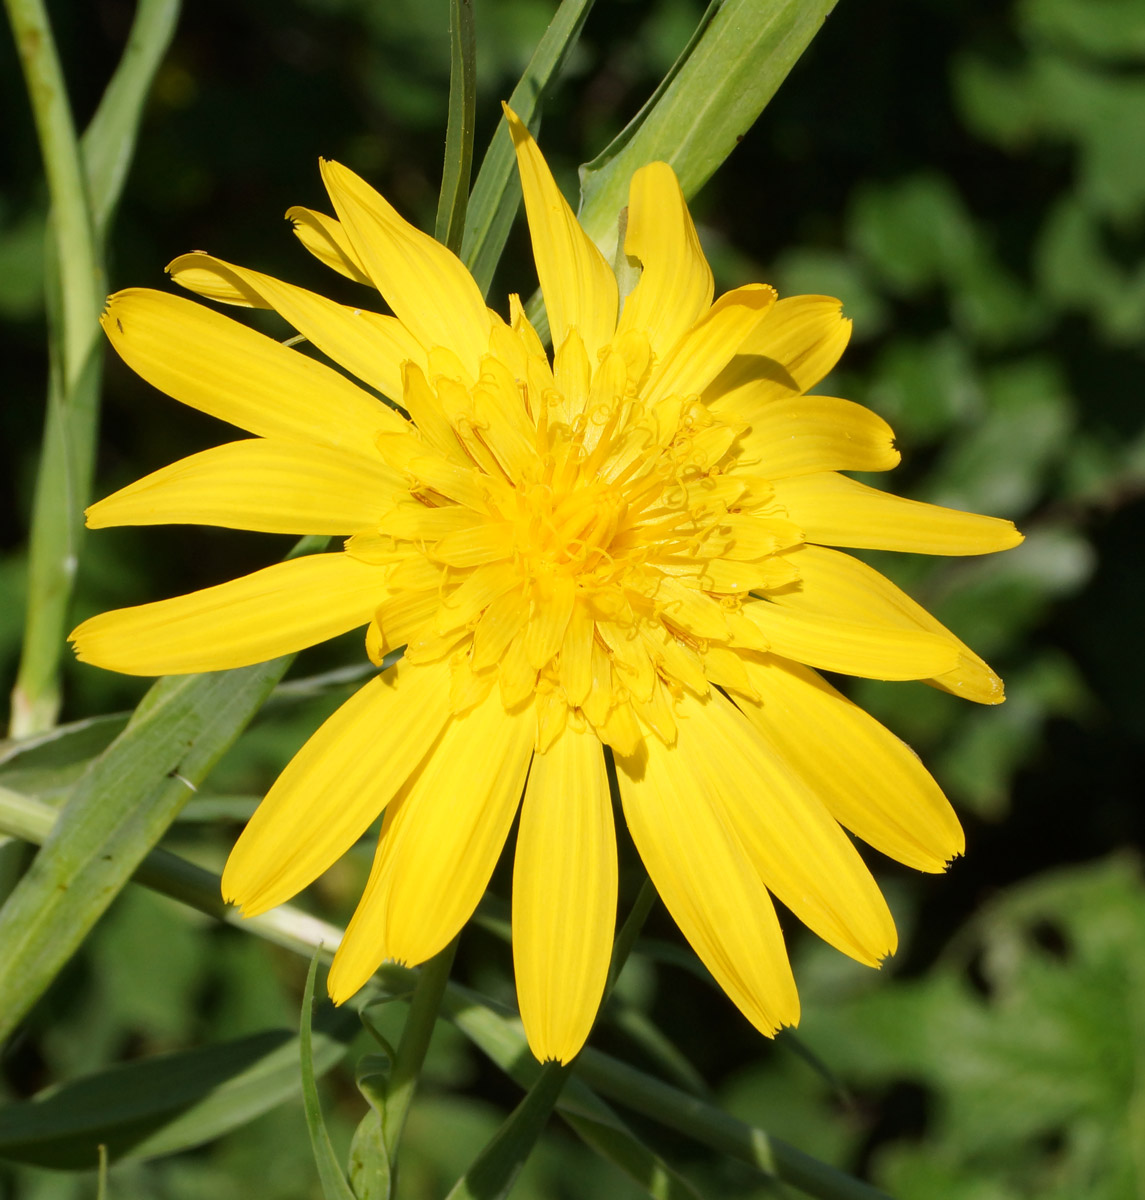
[[711, 99]]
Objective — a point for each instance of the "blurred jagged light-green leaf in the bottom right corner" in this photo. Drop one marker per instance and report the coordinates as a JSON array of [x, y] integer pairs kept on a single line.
[[1028, 1035]]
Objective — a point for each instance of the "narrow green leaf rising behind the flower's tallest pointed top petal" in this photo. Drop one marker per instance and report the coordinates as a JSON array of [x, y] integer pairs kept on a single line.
[[497, 191]]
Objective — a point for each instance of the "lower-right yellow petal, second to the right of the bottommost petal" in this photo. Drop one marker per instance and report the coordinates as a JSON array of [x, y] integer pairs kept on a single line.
[[800, 851]]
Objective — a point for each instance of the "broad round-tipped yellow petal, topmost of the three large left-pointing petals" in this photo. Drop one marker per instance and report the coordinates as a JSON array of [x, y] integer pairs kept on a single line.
[[221, 368]]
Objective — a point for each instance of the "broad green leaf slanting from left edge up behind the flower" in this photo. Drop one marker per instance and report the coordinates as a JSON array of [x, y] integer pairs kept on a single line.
[[118, 812]]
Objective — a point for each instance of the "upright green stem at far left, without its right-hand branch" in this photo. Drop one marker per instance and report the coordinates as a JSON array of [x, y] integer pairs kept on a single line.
[[77, 290]]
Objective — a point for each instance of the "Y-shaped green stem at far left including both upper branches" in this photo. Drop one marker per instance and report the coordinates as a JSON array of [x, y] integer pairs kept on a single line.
[[85, 185]]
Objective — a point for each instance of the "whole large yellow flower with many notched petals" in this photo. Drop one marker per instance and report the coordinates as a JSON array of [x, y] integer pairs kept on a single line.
[[624, 548]]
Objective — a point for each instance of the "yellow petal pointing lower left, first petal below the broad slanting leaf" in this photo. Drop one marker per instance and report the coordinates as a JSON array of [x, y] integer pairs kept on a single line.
[[335, 787]]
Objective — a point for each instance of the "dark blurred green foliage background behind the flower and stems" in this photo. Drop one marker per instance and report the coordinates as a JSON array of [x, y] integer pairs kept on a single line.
[[970, 179]]
